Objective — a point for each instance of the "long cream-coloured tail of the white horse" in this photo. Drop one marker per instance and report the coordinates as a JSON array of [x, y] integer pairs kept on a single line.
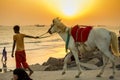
[[114, 44]]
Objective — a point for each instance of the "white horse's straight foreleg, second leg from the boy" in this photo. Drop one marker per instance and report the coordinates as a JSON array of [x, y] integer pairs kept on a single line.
[[75, 54]]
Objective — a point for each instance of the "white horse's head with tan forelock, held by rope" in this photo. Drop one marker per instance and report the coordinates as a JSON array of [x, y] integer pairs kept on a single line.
[[56, 26]]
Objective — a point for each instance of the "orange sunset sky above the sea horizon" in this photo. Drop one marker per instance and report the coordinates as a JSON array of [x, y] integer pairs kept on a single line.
[[28, 12]]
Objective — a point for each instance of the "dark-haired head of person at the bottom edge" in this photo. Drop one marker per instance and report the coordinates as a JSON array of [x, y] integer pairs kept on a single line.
[[20, 74]]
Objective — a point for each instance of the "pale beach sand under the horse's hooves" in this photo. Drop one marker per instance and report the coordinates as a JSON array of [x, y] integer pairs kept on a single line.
[[70, 75]]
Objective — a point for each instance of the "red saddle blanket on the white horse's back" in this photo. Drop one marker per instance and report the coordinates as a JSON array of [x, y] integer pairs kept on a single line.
[[80, 34]]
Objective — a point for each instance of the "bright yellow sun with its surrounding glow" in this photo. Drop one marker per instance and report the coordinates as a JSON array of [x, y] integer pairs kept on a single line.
[[69, 8]]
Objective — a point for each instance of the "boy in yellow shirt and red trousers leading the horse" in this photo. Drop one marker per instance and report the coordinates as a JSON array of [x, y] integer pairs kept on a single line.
[[20, 56]]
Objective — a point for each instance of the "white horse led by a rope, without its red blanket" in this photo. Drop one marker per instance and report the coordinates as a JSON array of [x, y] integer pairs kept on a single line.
[[100, 38]]
